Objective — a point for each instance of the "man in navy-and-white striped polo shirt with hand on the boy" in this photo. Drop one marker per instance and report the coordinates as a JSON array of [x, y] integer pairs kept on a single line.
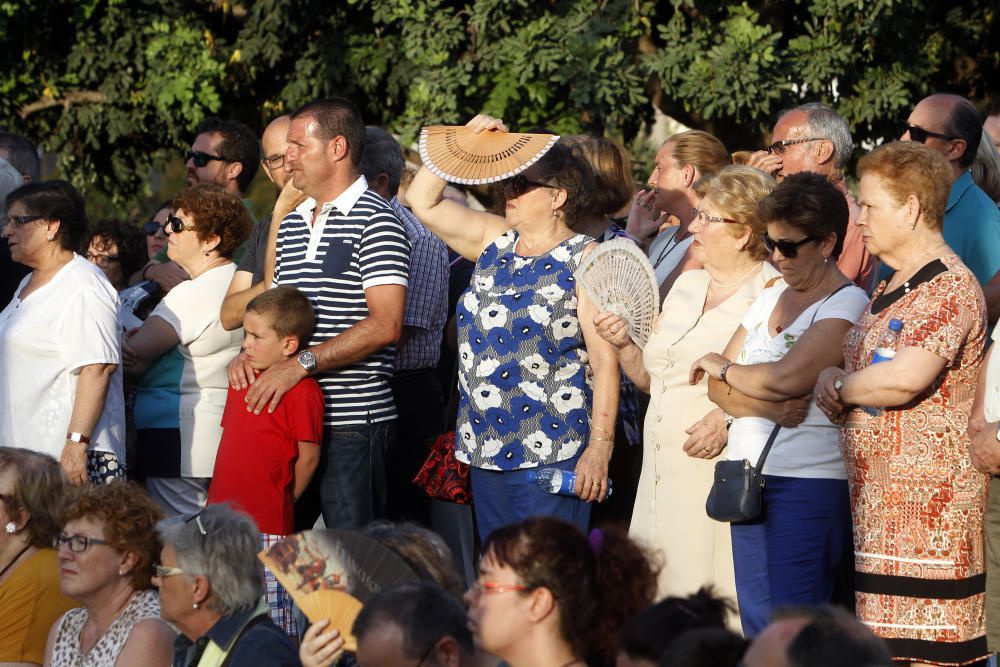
[[347, 251]]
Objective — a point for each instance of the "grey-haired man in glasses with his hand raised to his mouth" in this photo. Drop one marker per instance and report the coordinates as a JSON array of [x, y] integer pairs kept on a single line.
[[813, 137]]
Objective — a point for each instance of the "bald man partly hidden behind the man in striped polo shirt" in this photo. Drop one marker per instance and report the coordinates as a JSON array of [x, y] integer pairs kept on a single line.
[[248, 281]]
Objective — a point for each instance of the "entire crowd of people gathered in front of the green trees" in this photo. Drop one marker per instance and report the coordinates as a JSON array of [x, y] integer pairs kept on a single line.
[[171, 406]]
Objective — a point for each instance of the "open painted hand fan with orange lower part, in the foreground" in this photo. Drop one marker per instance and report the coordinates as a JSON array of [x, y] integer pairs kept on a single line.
[[332, 574]]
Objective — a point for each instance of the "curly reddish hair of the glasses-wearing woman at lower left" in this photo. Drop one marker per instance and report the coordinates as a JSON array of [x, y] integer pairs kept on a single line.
[[129, 517]]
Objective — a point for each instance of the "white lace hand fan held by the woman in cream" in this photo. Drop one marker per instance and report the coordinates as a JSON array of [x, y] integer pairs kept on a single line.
[[618, 278]]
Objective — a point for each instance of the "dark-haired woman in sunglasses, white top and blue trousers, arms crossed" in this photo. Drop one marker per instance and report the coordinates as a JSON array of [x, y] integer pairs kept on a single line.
[[792, 553]]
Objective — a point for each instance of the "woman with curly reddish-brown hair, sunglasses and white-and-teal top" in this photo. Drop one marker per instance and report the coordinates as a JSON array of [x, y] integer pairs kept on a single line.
[[181, 352]]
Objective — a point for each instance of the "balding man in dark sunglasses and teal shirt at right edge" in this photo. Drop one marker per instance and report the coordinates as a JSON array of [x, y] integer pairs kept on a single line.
[[950, 125]]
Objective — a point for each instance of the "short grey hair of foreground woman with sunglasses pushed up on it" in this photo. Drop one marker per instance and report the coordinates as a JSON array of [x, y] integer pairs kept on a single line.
[[226, 555]]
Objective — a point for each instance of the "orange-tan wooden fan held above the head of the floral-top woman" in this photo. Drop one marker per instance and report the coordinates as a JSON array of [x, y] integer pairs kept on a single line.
[[459, 155]]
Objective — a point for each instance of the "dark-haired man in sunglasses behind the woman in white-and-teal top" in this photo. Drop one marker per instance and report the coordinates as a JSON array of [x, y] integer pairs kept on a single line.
[[227, 154]]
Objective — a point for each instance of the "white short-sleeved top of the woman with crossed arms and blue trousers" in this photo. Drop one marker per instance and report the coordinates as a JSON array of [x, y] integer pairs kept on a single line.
[[812, 449]]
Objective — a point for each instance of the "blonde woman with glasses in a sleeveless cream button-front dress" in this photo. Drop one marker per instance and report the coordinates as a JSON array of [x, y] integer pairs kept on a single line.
[[701, 312]]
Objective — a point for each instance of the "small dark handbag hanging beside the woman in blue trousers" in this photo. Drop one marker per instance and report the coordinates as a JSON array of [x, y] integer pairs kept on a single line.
[[738, 487]]
